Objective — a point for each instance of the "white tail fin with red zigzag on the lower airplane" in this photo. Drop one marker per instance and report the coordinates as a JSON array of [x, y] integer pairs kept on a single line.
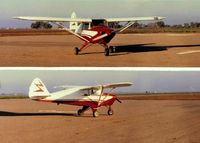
[[37, 90]]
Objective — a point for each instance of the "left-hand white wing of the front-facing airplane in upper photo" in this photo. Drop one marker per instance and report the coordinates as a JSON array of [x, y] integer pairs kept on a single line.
[[54, 19]]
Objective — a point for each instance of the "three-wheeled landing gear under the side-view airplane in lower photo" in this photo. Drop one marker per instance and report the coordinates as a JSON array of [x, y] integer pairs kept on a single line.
[[95, 112]]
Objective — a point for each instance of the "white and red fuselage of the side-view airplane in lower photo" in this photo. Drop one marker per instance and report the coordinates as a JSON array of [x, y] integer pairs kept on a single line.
[[80, 98]]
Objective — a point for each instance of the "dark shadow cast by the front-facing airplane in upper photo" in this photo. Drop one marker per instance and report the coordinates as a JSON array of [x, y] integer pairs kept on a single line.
[[139, 48]]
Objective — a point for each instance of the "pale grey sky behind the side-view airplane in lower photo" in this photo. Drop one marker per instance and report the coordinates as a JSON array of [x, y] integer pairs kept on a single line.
[[17, 81]]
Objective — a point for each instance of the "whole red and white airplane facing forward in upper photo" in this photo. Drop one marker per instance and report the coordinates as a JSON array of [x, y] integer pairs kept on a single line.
[[91, 31]]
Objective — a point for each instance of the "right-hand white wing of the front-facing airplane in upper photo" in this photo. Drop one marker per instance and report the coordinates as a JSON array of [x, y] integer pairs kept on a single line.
[[134, 19]]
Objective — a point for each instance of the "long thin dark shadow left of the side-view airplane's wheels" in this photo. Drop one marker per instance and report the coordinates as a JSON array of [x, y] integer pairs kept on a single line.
[[5, 113]]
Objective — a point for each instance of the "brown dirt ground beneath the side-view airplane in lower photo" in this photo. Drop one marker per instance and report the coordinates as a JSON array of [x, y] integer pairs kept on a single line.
[[140, 121]]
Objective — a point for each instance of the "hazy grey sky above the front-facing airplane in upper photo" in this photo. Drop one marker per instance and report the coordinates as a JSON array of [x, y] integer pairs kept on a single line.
[[176, 11]]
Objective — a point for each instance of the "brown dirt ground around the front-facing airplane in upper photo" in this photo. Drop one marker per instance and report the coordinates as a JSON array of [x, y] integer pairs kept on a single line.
[[132, 50]]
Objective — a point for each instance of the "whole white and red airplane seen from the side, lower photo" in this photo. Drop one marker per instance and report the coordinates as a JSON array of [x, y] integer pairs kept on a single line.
[[86, 96]]
